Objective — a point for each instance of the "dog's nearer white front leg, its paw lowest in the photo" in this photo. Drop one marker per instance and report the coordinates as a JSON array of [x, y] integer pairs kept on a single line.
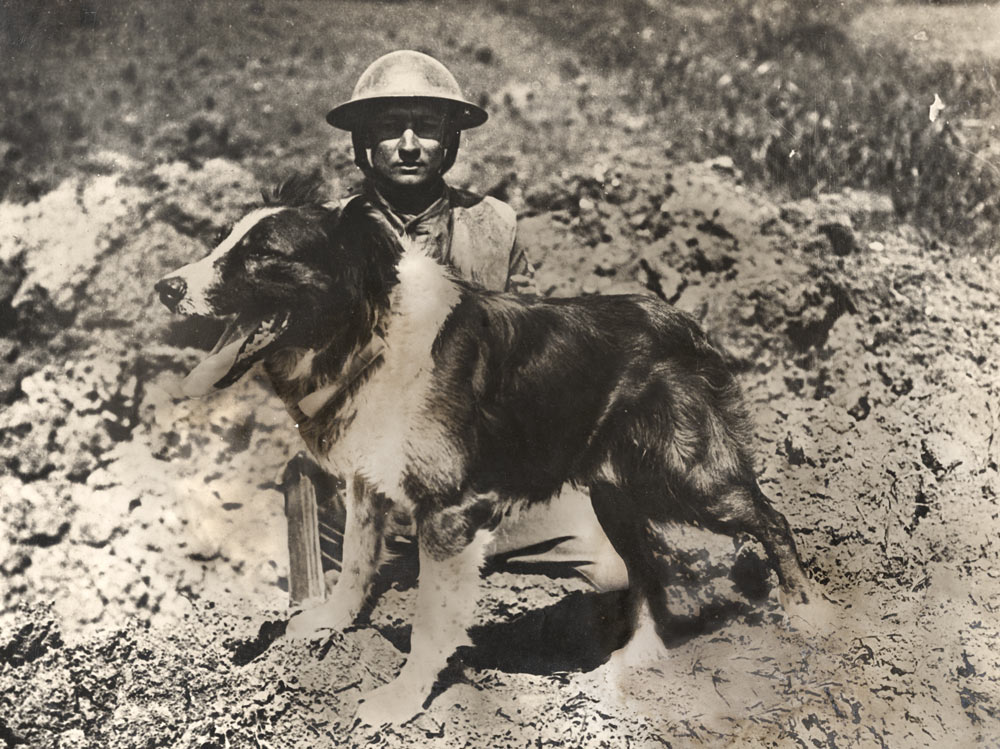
[[451, 554]]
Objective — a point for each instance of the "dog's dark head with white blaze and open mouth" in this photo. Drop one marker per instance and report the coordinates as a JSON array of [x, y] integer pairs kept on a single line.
[[292, 273]]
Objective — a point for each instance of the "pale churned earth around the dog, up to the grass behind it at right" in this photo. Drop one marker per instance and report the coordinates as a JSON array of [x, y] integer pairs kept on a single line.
[[144, 550]]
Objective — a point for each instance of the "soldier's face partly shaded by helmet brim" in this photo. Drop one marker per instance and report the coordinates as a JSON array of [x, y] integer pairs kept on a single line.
[[406, 143]]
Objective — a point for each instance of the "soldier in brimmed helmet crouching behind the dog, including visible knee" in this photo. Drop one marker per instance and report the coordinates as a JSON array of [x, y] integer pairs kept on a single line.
[[405, 117]]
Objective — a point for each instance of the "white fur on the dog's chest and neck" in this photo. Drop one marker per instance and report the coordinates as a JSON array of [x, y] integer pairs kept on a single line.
[[391, 423]]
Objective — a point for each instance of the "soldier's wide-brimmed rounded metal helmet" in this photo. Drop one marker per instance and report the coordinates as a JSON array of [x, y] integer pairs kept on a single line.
[[405, 74]]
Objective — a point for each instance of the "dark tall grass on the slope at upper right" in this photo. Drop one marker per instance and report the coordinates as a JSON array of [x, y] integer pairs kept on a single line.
[[781, 87]]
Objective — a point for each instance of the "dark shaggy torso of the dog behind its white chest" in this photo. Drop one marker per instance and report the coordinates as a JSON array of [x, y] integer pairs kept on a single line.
[[538, 393]]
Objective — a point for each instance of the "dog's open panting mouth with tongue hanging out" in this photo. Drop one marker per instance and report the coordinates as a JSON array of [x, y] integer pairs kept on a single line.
[[243, 343]]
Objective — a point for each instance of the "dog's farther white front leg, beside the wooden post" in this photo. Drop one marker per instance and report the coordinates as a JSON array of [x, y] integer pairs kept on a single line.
[[366, 512]]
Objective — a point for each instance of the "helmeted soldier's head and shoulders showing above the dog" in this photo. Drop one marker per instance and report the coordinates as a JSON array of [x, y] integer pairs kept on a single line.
[[405, 118]]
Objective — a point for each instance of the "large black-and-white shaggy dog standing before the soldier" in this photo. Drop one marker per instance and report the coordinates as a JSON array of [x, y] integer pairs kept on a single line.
[[459, 404]]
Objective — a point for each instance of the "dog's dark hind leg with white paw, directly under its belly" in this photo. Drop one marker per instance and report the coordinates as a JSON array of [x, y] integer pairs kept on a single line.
[[632, 536]]
